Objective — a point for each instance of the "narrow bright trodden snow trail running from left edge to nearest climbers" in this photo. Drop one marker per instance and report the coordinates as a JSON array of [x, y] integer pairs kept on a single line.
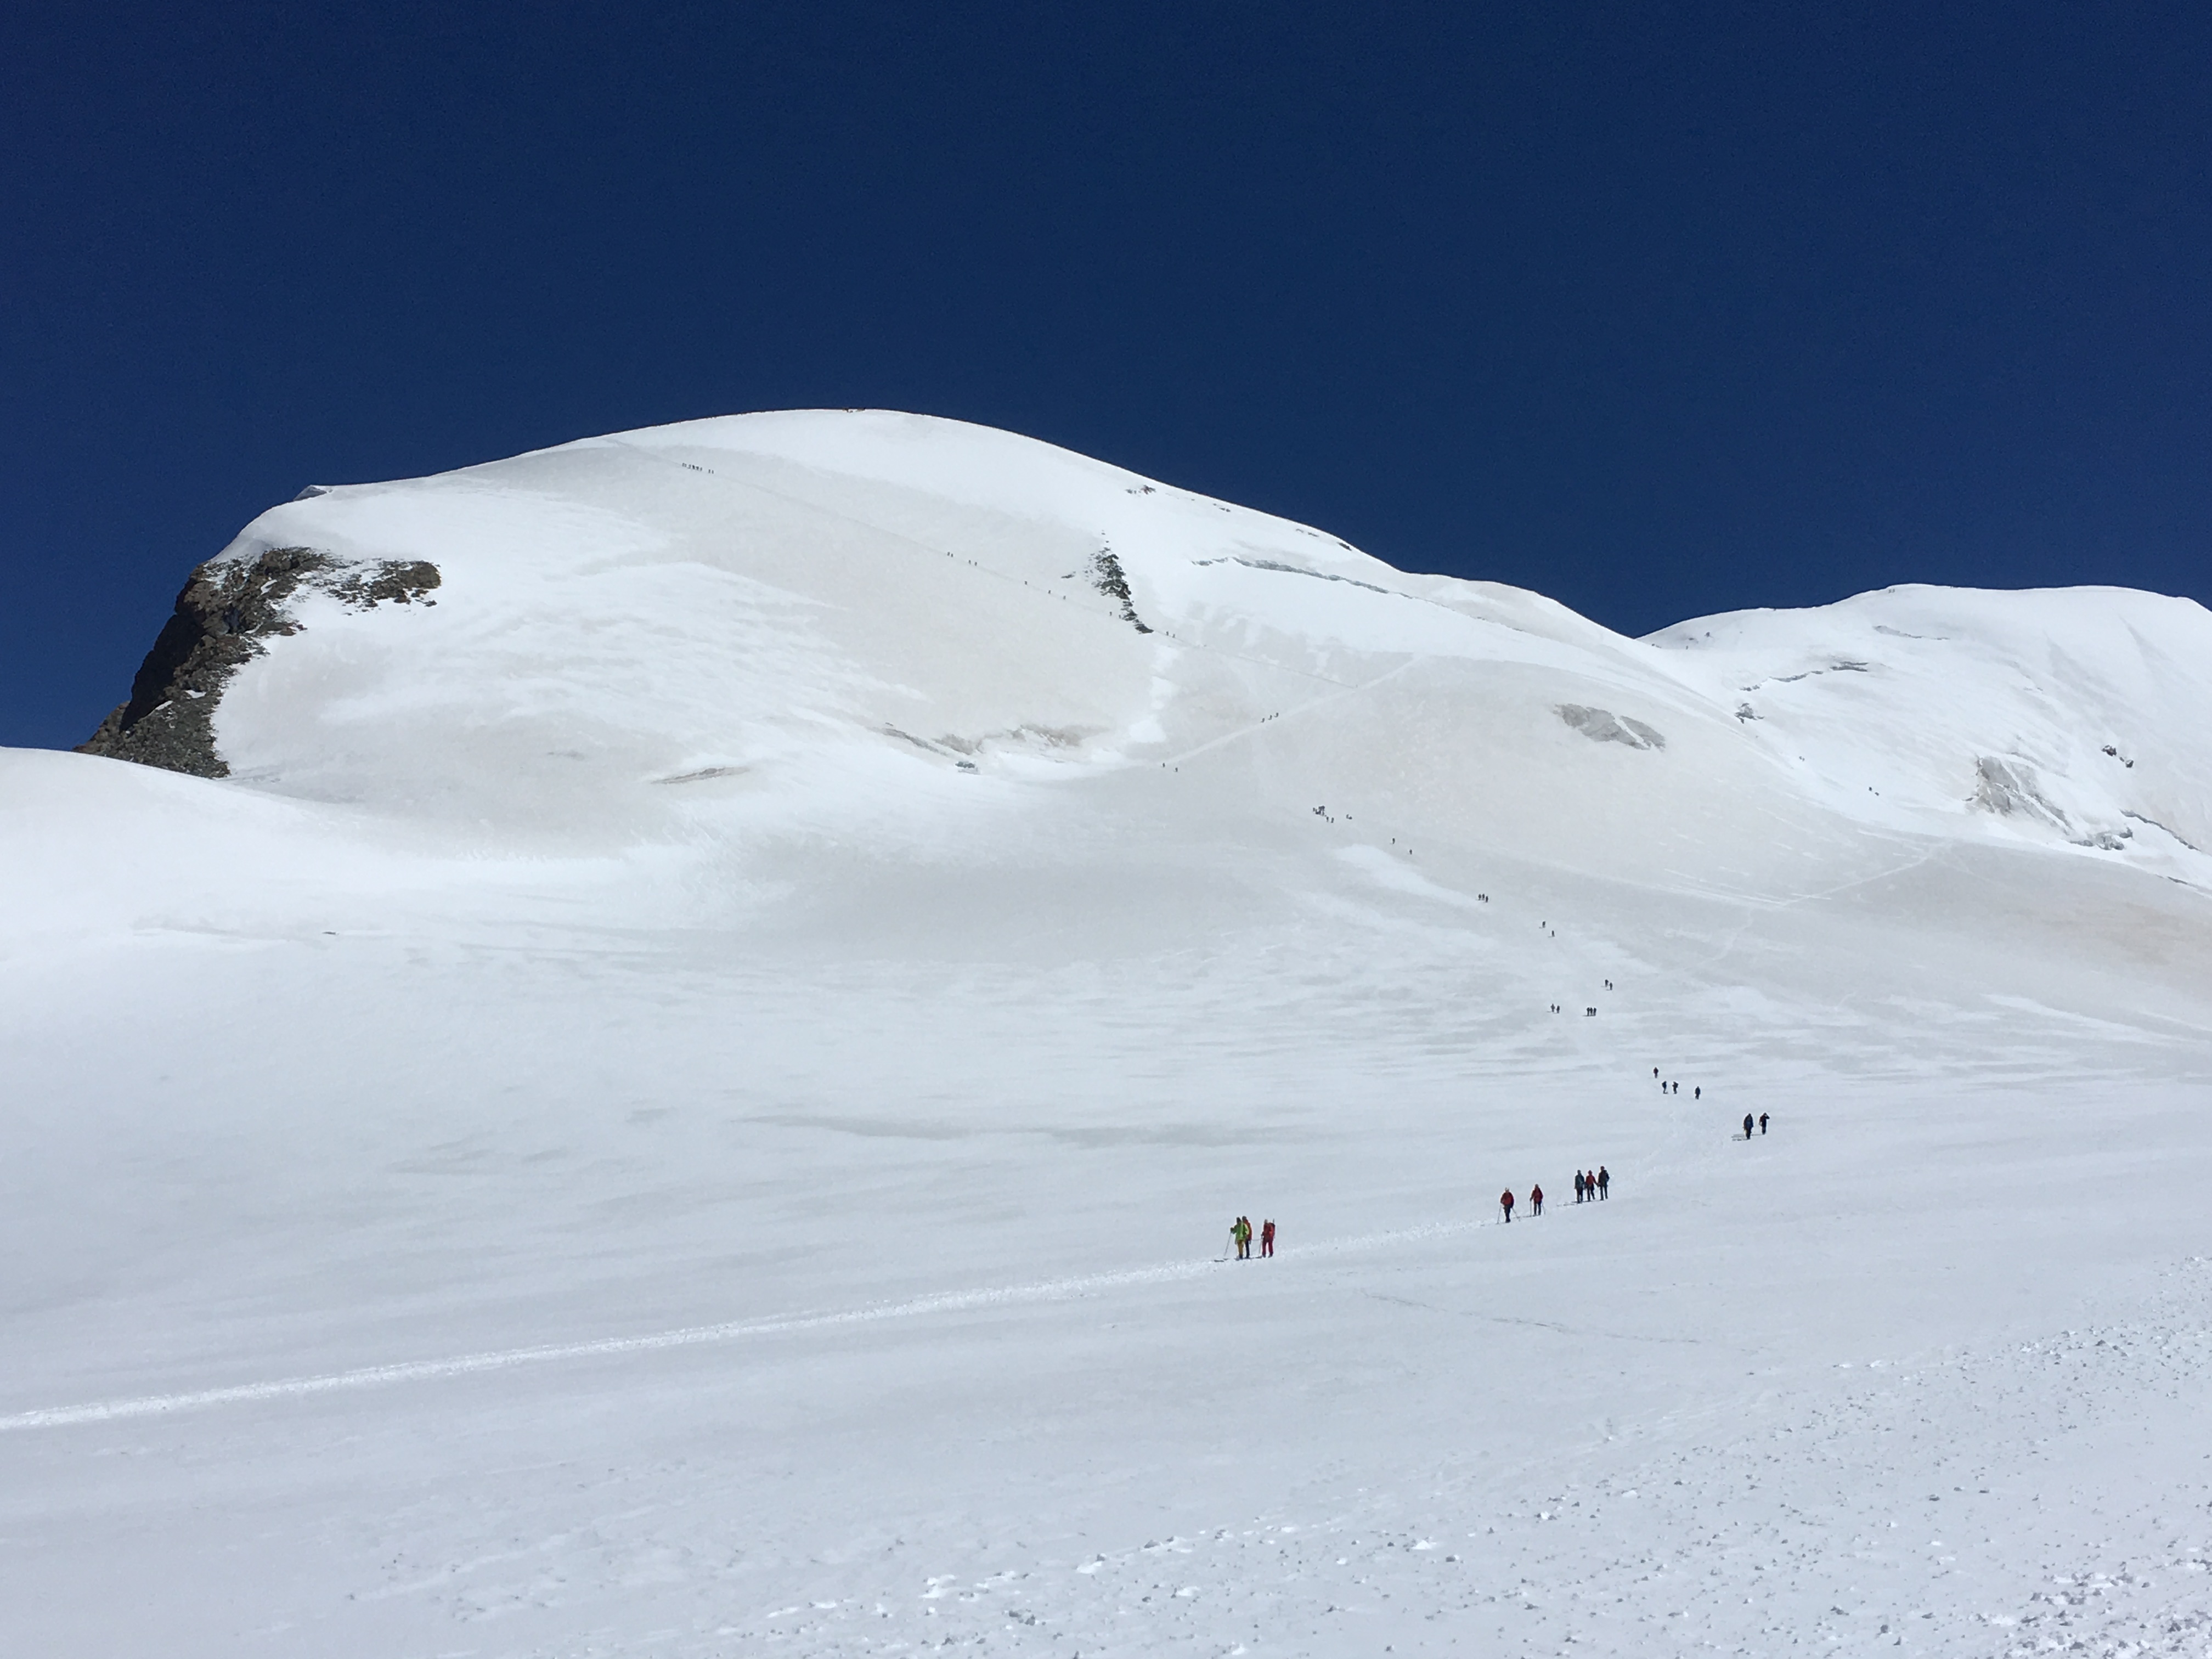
[[371, 1377]]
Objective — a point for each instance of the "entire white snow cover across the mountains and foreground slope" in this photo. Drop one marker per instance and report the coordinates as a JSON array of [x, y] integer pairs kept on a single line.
[[685, 1098]]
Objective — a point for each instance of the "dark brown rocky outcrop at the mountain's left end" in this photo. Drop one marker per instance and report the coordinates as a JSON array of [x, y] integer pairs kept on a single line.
[[222, 618]]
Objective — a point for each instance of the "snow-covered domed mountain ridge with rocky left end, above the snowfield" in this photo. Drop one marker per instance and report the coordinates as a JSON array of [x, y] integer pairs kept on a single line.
[[722, 609]]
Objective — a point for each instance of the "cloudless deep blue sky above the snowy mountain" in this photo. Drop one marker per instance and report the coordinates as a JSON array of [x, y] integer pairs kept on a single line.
[[1653, 309]]
